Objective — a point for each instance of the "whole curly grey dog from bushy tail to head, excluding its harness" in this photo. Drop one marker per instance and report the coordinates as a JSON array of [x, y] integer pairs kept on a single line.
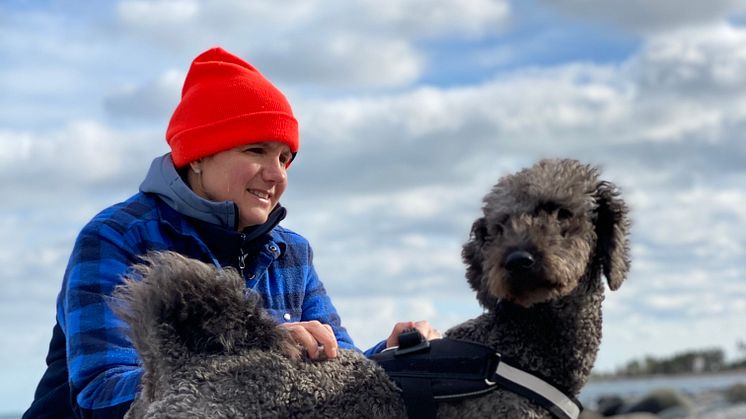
[[535, 260]]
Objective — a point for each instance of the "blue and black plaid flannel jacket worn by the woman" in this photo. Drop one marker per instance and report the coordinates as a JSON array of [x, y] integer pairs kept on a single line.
[[103, 366]]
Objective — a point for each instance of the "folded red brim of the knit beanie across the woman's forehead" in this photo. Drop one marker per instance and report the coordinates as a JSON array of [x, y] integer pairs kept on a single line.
[[205, 140]]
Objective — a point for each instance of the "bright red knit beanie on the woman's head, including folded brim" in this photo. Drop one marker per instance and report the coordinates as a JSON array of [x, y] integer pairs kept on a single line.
[[226, 103]]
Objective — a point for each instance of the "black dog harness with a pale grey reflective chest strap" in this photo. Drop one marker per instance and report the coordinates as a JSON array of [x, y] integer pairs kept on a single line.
[[447, 369]]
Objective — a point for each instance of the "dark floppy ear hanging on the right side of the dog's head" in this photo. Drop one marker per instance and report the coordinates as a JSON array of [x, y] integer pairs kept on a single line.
[[612, 229]]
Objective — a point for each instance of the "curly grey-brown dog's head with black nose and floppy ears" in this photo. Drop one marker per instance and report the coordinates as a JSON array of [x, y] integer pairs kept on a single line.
[[544, 229]]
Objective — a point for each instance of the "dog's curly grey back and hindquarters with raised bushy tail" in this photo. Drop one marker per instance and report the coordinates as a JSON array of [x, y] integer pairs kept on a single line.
[[209, 350]]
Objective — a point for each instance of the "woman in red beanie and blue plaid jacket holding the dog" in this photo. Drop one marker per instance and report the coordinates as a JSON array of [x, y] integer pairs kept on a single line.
[[214, 197]]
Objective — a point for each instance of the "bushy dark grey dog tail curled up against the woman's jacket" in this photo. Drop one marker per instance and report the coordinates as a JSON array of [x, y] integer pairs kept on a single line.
[[176, 306]]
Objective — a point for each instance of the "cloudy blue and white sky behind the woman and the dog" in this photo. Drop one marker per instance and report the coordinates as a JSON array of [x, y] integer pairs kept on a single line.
[[409, 111]]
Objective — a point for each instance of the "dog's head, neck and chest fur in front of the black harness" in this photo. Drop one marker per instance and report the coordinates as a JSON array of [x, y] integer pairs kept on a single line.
[[535, 260]]
